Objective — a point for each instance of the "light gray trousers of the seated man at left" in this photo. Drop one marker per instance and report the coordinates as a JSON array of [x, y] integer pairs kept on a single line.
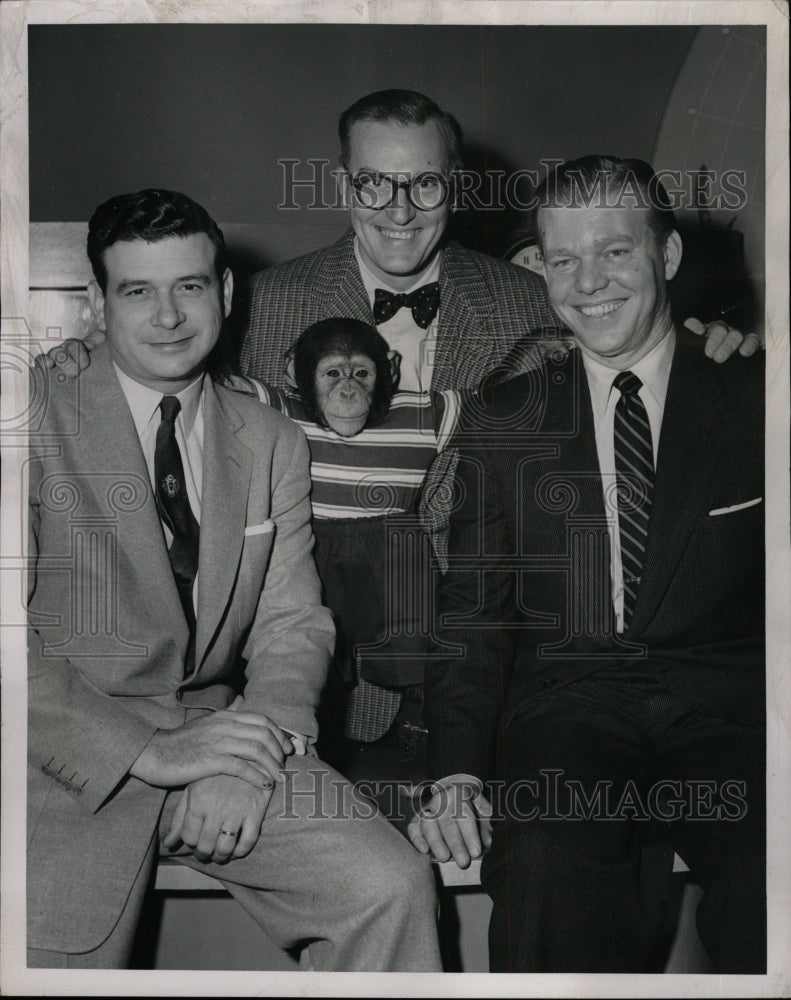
[[327, 874]]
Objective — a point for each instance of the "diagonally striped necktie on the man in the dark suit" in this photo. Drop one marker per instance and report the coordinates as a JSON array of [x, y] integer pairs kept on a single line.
[[634, 473]]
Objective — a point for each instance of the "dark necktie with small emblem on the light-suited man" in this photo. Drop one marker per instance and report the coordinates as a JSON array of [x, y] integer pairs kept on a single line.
[[175, 511]]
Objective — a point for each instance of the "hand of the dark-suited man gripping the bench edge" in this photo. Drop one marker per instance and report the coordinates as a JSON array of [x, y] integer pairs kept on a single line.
[[454, 823]]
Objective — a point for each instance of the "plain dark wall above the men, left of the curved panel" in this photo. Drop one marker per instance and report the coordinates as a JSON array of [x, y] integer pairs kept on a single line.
[[210, 109]]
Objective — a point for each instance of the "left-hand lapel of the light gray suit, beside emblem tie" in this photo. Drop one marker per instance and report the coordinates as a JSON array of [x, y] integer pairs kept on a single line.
[[108, 440]]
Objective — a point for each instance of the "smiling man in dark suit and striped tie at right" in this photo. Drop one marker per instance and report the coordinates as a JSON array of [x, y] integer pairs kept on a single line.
[[602, 629]]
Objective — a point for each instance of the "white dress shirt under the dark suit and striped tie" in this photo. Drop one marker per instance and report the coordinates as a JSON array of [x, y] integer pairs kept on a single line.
[[653, 371]]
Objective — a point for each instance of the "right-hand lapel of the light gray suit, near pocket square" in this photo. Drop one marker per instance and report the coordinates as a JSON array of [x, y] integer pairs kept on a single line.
[[227, 470]]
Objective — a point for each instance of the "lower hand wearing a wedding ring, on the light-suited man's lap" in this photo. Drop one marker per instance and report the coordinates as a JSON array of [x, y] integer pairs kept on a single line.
[[219, 818]]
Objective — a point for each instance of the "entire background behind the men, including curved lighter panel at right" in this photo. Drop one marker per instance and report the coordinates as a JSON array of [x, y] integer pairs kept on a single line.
[[213, 110]]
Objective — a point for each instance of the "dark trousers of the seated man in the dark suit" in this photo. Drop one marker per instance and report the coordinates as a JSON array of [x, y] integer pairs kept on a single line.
[[586, 766]]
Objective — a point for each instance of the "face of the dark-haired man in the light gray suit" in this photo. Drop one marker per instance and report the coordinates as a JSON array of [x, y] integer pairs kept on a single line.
[[163, 308]]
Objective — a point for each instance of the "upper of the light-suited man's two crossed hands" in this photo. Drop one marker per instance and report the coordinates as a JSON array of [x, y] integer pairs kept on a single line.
[[236, 743]]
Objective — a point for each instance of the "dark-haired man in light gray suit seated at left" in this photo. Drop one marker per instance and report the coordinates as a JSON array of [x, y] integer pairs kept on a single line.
[[177, 639]]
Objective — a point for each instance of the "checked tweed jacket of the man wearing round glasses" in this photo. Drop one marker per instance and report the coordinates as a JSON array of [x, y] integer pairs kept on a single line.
[[486, 306]]
